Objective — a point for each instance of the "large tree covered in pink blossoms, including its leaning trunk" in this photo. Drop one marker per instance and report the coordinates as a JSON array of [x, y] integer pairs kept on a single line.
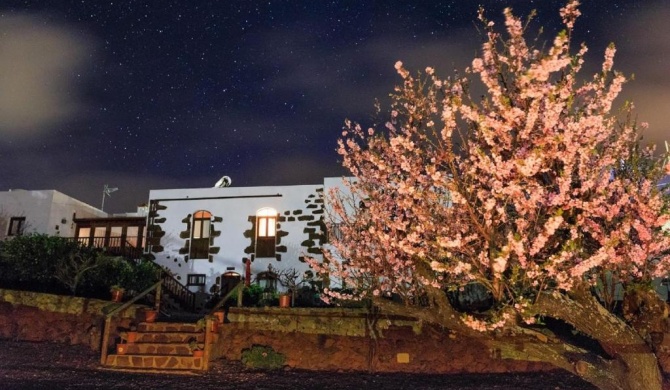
[[536, 192]]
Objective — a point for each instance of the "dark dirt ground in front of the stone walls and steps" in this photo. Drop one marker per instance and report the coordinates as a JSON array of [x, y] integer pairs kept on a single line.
[[26, 365]]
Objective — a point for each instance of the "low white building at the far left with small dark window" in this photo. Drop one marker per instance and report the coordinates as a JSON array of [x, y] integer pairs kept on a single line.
[[43, 211]]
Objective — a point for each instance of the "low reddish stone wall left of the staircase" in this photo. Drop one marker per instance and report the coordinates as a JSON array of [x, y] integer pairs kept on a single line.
[[34, 316]]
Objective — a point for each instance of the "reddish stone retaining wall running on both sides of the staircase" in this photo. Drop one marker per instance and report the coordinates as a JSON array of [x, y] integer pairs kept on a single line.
[[317, 339]]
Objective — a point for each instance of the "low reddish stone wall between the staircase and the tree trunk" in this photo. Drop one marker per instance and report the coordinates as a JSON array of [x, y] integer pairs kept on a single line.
[[343, 339]]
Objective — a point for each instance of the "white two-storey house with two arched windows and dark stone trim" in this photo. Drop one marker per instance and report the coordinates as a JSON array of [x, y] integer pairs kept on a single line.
[[200, 234]]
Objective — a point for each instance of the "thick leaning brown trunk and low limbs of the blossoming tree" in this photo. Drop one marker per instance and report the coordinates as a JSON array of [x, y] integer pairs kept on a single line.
[[631, 364]]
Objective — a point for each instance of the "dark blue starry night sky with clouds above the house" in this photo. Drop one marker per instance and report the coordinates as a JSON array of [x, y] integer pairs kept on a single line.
[[146, 95]]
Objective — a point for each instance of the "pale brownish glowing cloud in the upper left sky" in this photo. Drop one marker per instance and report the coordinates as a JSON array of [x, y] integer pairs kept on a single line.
[[37, 66]]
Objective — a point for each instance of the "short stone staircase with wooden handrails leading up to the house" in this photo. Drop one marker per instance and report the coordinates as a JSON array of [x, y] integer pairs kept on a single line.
[[160, 346]]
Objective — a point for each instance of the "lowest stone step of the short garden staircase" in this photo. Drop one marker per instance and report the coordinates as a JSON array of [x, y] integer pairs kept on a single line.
[[158, 362]]
